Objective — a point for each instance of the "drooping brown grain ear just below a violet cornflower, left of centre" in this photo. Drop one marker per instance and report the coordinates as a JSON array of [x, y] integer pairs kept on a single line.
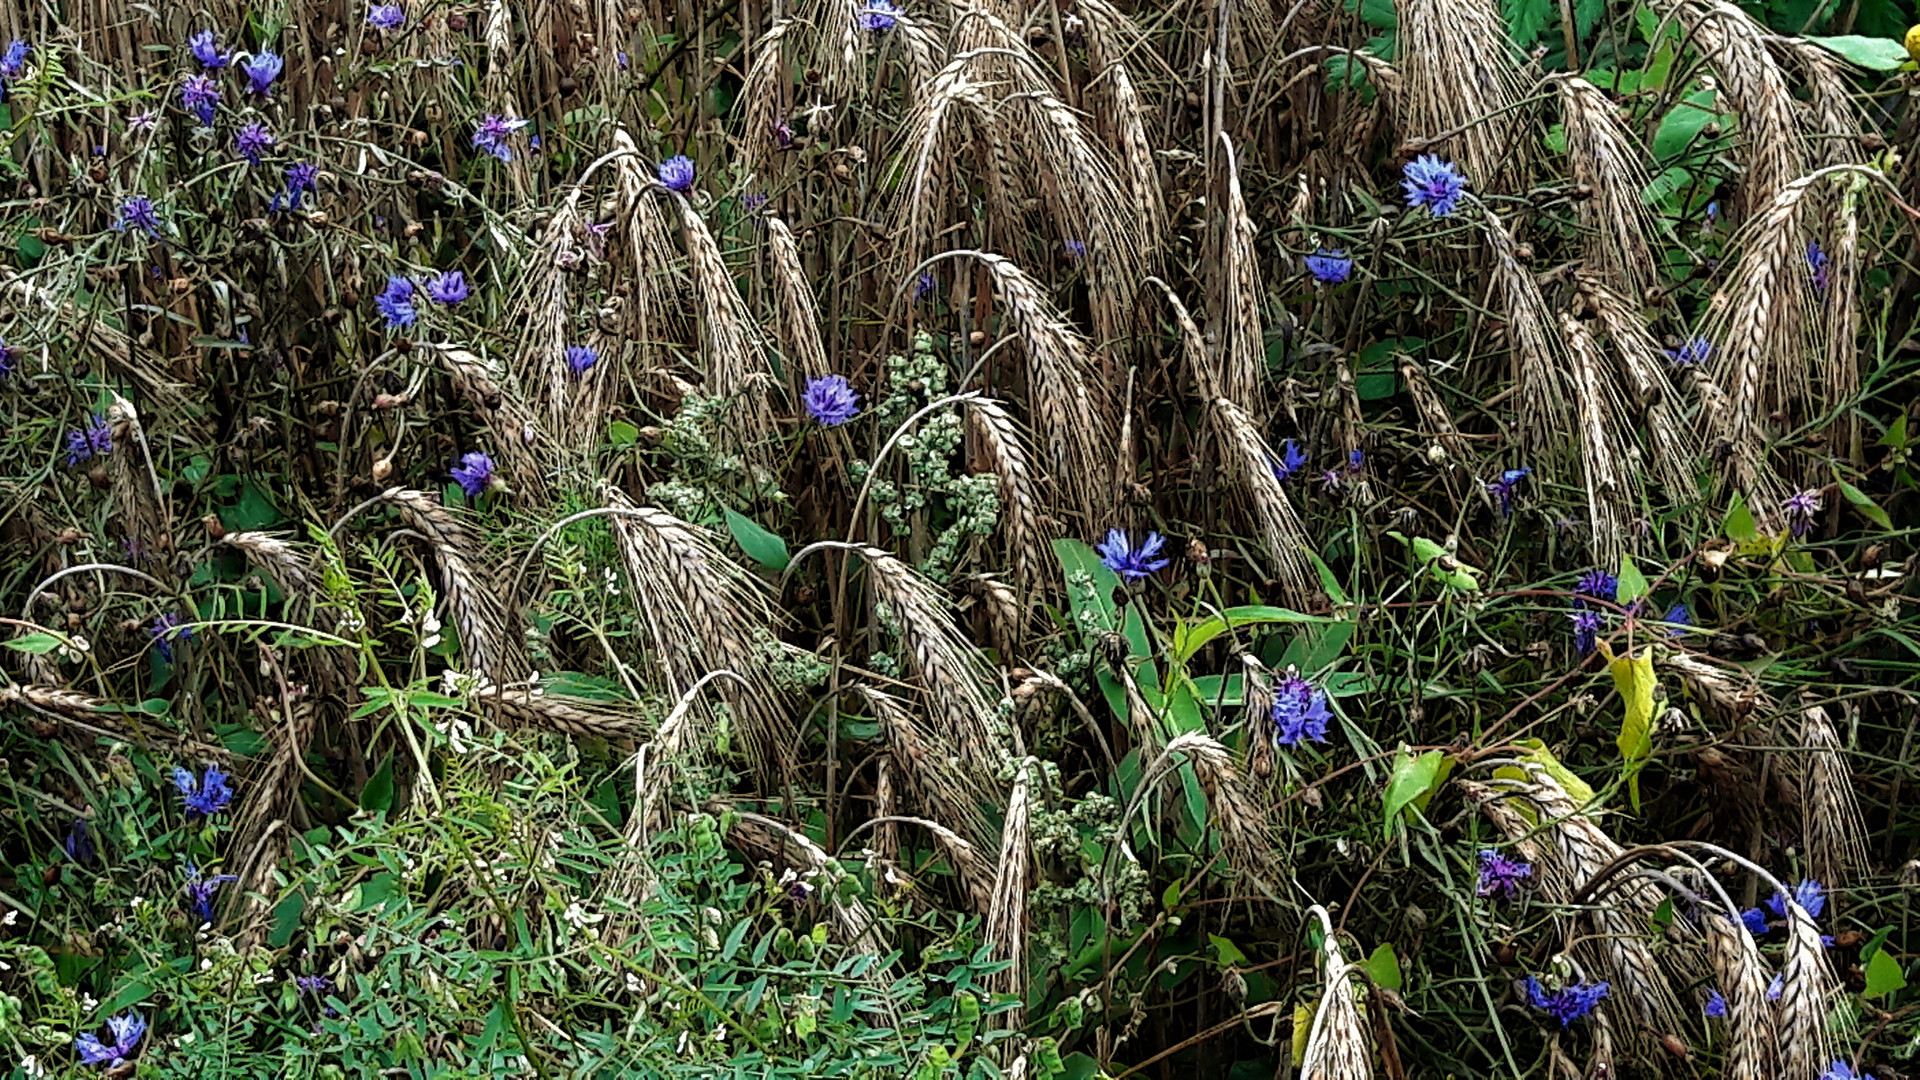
[[492, 633]]
